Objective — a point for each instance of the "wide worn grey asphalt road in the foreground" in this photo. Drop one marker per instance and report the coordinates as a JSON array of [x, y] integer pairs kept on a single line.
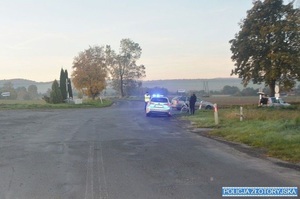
[[118, 153]]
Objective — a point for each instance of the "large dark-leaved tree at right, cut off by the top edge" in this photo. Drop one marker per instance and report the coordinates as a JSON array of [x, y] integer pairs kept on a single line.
[[267, 48]]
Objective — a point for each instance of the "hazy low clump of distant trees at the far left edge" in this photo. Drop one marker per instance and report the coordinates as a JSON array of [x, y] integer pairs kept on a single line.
[[21, 93]]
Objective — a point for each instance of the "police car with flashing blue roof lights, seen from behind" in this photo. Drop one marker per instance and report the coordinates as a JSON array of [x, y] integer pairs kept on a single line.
[[158, 106]]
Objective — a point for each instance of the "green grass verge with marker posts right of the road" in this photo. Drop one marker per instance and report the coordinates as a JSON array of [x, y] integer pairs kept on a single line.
[[275, 130]]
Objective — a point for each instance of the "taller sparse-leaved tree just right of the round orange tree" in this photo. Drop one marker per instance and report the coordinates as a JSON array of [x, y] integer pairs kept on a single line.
[[123, 67]]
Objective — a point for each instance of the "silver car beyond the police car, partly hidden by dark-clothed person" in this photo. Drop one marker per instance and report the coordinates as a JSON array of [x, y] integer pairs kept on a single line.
[[179, 101]]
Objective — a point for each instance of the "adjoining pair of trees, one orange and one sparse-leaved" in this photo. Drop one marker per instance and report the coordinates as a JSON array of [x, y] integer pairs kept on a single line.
[[97, 65]]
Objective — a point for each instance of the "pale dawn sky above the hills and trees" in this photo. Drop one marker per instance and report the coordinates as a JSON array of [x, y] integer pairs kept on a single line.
[[180, 39]]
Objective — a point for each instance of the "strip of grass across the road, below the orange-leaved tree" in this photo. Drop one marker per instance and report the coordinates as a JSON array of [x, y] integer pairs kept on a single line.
[[40, 104]]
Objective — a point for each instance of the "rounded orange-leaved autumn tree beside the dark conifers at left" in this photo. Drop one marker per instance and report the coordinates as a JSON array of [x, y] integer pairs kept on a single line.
[[90, 71]]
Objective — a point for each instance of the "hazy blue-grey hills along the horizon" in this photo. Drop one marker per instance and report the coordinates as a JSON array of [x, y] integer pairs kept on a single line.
[[215, 84]]
